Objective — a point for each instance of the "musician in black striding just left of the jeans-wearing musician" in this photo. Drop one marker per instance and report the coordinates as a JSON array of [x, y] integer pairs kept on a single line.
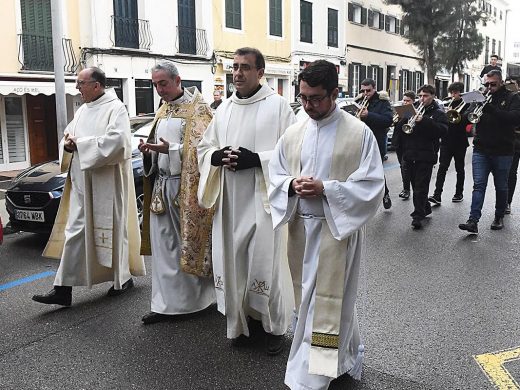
[[453, 145]]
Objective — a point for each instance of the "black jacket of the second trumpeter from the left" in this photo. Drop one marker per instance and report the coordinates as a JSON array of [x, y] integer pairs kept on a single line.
[[422, 143]]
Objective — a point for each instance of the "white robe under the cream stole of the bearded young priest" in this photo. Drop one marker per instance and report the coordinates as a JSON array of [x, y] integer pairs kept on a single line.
[[346, 209]]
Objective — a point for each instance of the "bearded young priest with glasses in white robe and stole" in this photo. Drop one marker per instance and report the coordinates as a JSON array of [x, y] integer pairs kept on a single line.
[[326, 182]]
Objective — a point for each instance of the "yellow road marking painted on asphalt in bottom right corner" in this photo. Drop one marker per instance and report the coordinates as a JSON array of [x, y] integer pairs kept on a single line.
[[492, 364]]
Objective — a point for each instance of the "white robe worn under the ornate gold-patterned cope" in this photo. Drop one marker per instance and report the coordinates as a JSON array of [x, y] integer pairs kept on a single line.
[[173, 290]]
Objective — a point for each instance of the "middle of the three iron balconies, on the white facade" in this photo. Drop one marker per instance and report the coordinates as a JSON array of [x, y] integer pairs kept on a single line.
[[130, 33]]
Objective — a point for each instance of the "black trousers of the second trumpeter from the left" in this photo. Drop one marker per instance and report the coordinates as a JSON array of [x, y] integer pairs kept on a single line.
[[420, 174]]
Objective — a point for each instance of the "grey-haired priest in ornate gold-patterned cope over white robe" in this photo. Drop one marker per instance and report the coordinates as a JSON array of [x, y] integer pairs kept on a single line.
[[170, 161]]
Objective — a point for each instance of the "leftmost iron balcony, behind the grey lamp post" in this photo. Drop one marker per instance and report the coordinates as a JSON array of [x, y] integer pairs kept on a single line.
[[35, 54]]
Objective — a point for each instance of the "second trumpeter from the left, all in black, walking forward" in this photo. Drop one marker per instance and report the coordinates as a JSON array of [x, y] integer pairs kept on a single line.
[[420, 150]]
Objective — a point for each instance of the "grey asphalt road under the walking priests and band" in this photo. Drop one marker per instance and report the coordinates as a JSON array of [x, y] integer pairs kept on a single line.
[[429, 301]]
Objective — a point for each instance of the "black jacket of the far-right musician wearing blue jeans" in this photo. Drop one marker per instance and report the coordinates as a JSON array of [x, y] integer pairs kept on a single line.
[[494, 134]]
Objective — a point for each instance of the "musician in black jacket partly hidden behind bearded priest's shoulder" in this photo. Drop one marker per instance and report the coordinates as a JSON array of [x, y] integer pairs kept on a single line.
[[378, 116]]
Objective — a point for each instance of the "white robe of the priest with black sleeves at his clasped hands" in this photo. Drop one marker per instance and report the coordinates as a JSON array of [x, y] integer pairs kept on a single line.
[[249, 260]]
